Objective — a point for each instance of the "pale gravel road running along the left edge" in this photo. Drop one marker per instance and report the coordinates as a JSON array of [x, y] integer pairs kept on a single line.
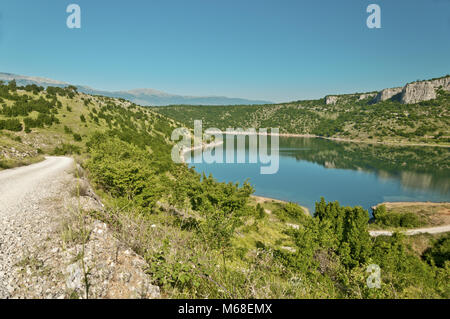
[[21, 223]]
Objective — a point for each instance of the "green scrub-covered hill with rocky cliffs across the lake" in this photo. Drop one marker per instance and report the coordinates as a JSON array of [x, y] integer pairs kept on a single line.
[[391, 115]]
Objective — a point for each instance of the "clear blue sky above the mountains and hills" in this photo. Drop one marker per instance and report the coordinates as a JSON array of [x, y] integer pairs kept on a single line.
[[277, 50]]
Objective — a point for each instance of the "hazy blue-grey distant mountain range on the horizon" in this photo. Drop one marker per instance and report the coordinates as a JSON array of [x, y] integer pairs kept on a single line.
[[146, 97]]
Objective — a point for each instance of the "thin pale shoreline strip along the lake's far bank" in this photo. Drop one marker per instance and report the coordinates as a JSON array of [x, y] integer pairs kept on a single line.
[[338, 139]]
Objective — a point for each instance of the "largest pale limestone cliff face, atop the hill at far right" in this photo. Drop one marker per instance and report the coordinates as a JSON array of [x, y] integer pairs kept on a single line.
[[423, 91]]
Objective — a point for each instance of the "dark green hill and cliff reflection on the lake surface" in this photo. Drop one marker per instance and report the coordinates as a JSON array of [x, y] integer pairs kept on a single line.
[[414, 167]]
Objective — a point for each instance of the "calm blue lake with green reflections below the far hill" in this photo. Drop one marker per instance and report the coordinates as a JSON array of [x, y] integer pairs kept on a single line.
[[351, 173]]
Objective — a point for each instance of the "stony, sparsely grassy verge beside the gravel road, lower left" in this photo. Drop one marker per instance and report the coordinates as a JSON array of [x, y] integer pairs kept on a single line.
[[51, 248]]
